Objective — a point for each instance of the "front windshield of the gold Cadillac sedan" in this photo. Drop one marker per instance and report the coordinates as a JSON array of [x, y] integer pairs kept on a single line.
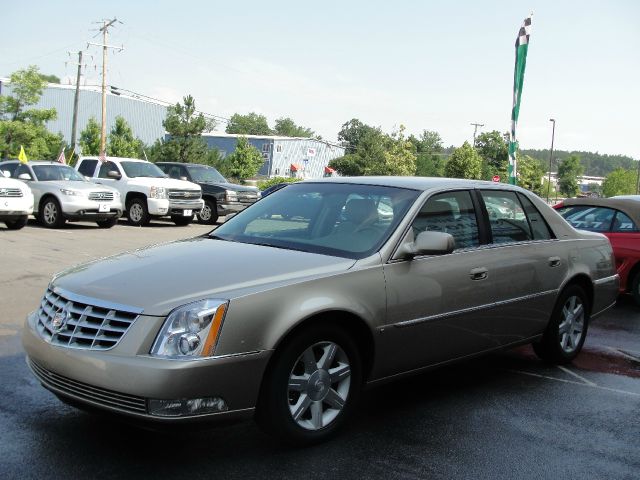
[[339, 219]]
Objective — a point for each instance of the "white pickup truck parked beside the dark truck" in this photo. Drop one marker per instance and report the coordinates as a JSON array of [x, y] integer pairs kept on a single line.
[[145, 189]]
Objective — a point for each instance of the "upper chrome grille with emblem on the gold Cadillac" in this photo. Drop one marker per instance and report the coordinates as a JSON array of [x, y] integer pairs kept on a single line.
[[71, 324]]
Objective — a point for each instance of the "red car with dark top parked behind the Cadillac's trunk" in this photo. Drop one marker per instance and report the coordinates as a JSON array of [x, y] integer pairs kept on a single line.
[[619, 220]]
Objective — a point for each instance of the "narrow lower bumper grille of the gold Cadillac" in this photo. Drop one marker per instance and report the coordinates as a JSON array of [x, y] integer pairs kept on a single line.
[[84, 391]]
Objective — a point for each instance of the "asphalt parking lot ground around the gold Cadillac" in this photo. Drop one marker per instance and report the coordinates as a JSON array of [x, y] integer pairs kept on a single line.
[[503, 416]]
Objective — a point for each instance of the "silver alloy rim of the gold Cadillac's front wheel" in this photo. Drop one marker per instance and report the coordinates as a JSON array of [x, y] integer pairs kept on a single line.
[[319, 385]]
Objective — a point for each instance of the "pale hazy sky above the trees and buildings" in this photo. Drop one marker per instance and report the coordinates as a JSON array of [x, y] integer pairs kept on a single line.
[[424, 65]]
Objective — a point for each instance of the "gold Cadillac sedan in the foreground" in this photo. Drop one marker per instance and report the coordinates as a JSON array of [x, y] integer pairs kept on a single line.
[[290, 308]]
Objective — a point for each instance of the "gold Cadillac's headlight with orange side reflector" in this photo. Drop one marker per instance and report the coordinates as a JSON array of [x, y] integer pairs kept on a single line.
[[191, 330]]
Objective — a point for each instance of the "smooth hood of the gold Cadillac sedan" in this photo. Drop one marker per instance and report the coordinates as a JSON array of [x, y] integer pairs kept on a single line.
[[159, 278]]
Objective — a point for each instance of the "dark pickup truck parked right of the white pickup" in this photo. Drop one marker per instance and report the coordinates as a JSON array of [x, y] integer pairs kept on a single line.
[[220, 197]]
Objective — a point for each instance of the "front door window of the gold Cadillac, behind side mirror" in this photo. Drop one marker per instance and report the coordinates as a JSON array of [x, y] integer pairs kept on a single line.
[[452, 213]]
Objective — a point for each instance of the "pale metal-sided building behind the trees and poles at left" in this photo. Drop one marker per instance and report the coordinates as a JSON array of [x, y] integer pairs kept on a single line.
[[144, 118]]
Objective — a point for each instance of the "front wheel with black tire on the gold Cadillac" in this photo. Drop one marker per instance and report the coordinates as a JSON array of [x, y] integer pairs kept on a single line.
[[303, 401]]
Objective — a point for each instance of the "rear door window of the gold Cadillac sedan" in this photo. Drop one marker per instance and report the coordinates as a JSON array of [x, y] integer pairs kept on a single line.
[[506, 217]]
